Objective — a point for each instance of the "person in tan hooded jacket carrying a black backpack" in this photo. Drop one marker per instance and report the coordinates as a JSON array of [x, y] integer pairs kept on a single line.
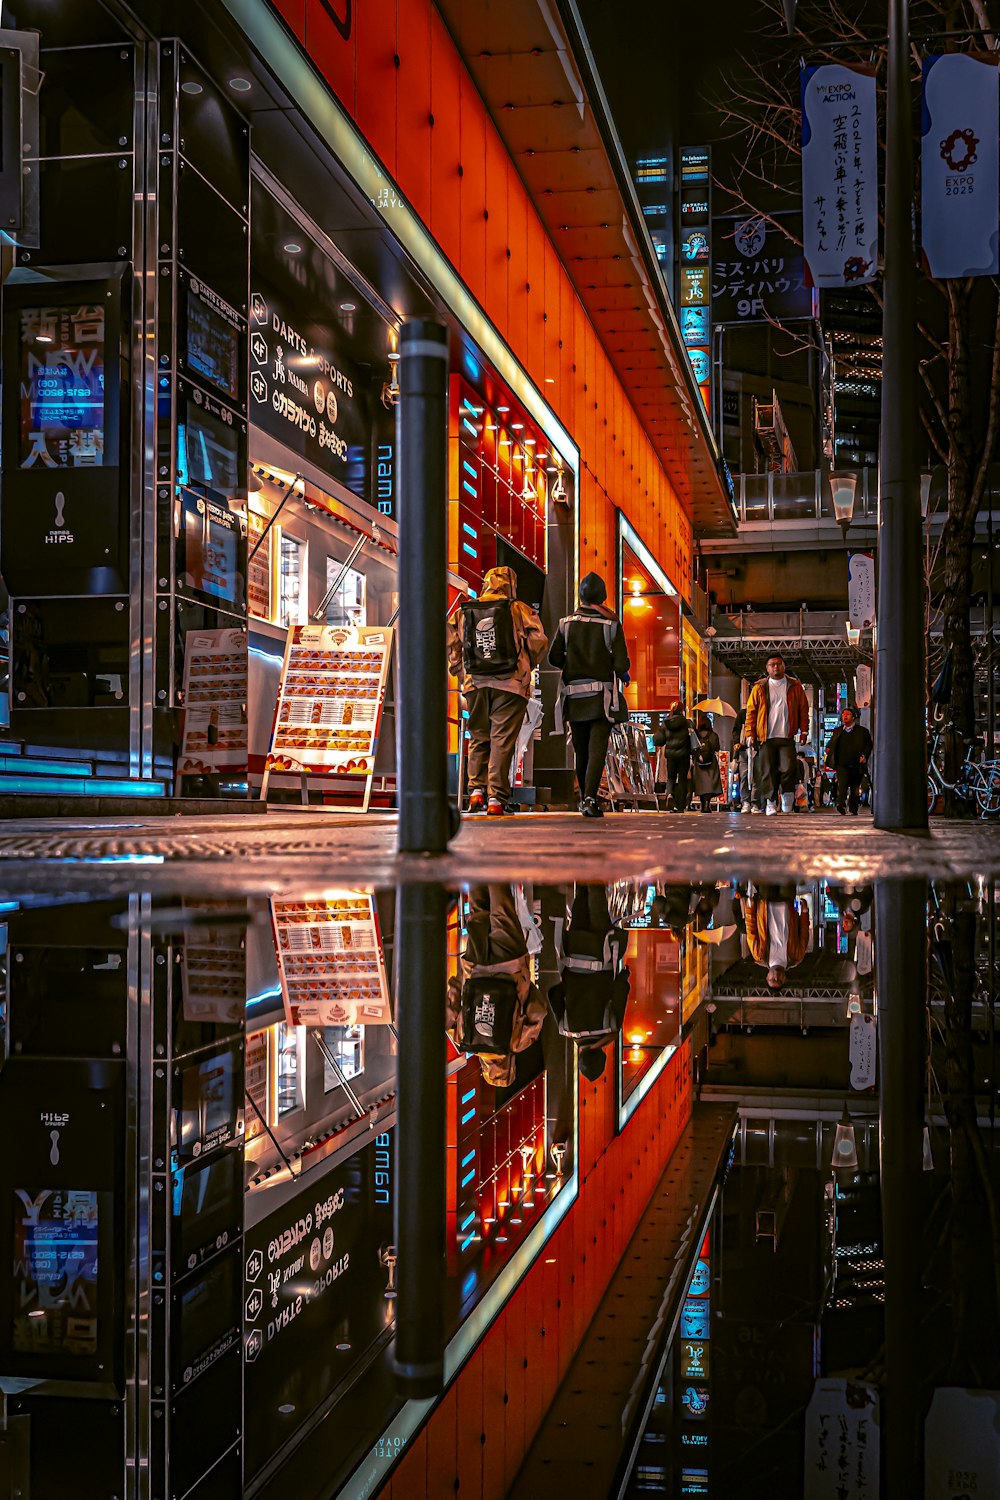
[[494, 644]]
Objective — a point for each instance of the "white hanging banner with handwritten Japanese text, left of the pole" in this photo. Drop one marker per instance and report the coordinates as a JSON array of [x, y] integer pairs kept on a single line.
[[840, 175]]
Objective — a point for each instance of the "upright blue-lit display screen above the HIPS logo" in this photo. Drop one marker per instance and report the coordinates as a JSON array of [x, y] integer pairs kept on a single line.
[[62, 388]]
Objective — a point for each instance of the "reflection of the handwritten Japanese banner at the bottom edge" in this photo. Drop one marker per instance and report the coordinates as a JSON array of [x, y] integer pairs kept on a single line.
[[842, 1442]]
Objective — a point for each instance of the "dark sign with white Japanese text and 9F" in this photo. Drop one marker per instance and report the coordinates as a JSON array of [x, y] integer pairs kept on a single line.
[[758, 272]]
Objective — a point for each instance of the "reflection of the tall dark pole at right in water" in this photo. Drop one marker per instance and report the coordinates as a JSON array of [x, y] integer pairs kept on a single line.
[[902, 979]]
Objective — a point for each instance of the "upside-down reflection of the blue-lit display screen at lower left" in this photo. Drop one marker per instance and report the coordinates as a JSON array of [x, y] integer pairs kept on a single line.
[[56, 1271]]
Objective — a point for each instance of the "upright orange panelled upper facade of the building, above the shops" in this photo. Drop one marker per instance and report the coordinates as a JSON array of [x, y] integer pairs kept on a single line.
[[401, 79]]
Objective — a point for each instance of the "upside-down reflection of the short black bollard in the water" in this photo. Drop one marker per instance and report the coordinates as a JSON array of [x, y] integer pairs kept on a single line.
[[422, 982]]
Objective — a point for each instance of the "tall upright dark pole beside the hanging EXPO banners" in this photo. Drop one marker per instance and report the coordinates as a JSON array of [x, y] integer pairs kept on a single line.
[[900, 731]]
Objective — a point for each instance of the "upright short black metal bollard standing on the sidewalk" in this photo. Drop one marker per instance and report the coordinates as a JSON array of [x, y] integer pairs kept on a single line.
[[422, 745]]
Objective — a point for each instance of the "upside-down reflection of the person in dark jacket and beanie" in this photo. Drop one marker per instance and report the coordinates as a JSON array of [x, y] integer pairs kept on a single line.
[[591, 995]]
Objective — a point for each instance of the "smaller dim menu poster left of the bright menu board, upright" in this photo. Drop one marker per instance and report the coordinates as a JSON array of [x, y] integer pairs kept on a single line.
[[215, 731]]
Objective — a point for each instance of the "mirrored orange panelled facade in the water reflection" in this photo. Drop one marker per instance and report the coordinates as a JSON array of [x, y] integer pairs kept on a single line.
[[479, 1436]]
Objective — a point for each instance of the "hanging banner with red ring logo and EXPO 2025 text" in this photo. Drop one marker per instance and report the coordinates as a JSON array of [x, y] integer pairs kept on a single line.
[[960, 164]]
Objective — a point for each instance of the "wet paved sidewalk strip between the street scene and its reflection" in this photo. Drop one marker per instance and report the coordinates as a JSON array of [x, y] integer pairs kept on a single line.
[[313, 850]]
